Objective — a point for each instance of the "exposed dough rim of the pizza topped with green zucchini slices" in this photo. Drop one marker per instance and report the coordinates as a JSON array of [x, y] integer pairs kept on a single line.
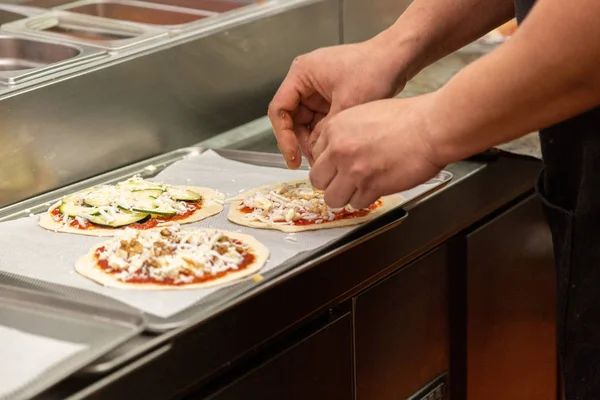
[[211, 205]]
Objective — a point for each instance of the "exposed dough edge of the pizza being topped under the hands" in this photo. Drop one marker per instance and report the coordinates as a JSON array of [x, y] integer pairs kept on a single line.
[[240, 217]]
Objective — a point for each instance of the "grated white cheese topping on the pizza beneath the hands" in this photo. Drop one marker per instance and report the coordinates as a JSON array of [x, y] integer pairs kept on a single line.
[[288, 203]]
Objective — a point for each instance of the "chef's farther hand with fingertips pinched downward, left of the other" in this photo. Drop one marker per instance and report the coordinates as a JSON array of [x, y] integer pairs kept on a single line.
[[322, 83]]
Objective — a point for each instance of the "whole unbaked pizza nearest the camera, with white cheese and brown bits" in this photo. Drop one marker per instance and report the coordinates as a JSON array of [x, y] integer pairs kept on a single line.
[[173, 258]]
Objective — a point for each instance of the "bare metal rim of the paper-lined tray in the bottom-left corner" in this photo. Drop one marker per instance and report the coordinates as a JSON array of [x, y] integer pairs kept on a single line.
[[100, 329]]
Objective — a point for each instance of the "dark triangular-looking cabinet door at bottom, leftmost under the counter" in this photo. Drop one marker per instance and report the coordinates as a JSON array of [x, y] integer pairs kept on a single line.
[[319, 367]]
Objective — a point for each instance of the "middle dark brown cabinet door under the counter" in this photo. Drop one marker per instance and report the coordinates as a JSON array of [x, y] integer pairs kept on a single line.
[[401, 328]]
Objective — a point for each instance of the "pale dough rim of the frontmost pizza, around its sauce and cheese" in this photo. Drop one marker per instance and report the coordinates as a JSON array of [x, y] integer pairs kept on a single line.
[[89, 267]]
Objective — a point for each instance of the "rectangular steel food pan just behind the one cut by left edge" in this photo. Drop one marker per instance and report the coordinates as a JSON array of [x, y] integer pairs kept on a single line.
[[83, 29]]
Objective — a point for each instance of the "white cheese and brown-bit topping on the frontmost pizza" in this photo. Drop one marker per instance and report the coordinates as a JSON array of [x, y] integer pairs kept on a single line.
[[172, 255]]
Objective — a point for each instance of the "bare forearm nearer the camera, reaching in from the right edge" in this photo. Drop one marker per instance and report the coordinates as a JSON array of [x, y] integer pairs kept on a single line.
[[542, 76]]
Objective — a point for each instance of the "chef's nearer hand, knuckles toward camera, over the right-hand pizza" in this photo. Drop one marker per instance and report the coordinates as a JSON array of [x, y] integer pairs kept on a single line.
[[374, 149]]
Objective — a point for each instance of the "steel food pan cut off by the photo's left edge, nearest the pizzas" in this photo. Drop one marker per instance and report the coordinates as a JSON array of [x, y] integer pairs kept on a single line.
[[23, 58]]
